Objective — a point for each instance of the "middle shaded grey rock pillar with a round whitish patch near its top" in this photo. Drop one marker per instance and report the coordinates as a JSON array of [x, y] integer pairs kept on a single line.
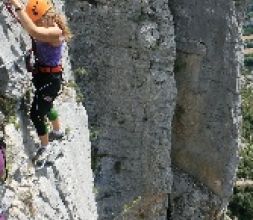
[[128, 51]]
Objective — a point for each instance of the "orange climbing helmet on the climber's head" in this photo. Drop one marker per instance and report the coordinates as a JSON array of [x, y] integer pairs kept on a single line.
[[37, 8]]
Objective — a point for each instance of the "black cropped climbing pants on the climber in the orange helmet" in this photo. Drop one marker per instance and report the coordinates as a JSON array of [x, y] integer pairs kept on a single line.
[[47, 87]]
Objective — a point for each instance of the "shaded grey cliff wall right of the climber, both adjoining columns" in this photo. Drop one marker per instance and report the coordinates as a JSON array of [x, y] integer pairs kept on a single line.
[[127, 52]]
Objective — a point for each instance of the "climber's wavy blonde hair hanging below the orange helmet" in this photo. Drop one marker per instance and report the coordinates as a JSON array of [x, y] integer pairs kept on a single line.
[[61, 21]]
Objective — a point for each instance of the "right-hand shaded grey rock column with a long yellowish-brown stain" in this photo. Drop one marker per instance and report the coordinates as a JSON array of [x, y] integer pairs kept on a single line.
[[206, 123]]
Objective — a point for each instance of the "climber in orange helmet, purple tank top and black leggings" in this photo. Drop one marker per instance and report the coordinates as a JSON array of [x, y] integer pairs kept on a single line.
[[49, 31]]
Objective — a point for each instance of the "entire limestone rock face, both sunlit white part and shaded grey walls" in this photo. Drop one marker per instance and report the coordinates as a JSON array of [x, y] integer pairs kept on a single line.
[[160, 82]]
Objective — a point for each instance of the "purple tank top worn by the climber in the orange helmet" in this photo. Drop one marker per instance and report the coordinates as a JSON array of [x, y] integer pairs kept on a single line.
[[48, 55]]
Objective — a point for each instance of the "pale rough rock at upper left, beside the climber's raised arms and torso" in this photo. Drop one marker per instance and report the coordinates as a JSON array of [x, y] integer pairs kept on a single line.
[[13, 45]]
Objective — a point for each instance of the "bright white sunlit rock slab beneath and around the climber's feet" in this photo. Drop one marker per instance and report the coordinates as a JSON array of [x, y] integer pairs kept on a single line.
[[62, 190]]
